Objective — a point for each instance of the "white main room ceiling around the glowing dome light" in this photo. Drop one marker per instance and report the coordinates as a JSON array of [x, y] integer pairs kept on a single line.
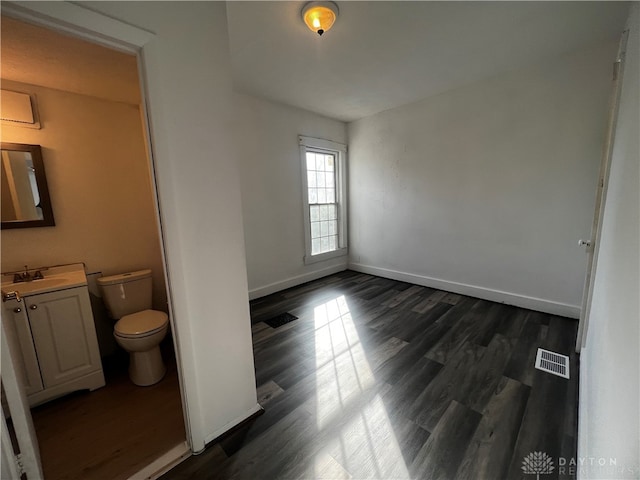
[[380, 55]]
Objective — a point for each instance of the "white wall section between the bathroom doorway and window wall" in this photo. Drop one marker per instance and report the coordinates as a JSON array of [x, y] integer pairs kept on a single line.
[[190, 102]]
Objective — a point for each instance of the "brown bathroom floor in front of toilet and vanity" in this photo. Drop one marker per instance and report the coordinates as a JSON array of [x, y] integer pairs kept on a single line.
[[112, 432]]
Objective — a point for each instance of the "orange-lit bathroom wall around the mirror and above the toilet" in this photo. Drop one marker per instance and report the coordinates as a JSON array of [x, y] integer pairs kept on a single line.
[[100, 188]]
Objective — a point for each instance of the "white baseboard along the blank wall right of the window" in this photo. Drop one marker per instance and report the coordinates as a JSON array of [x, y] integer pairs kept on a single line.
[[532, 303]]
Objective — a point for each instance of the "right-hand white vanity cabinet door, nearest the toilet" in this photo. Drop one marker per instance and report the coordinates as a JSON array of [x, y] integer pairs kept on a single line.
[[64, 335]]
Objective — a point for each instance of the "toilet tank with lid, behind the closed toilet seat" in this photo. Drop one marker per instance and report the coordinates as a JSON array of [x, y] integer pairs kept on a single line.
[[126, 293]]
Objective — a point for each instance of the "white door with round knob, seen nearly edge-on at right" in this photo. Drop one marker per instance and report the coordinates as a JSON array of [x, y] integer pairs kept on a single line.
[[593, 245]]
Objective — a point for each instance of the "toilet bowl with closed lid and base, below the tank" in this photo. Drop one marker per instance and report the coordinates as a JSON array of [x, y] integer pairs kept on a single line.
[[140, 334]]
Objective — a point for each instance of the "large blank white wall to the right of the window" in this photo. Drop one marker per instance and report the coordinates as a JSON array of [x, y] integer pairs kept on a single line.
[[486, 189]]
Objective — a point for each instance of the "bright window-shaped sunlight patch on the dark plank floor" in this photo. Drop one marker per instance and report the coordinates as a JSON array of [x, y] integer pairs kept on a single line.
[[366, 446]]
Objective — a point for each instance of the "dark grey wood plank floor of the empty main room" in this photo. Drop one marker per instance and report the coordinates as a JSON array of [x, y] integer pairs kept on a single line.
[[387, 380]]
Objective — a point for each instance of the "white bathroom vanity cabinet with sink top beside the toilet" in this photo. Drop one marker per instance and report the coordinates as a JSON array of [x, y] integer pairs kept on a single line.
[[50, 329]]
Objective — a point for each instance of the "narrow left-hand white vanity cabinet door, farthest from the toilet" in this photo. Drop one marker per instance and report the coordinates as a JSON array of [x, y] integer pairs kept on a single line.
[[16, 322]]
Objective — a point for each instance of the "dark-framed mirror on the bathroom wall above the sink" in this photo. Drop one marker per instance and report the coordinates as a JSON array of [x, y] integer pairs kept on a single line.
[[25, 196]]
